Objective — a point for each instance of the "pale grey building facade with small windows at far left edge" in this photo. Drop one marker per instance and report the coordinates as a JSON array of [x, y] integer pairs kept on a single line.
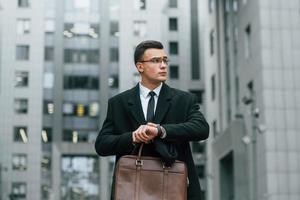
[[21, 94]]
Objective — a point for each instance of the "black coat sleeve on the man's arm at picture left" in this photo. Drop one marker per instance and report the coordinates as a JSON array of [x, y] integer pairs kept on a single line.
[[110, 143]]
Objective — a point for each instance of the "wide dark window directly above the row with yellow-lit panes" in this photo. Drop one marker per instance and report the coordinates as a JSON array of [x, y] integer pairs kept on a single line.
[[81, 82]]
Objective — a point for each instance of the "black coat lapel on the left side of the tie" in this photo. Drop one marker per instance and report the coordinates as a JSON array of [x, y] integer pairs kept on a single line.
[[135, 106]]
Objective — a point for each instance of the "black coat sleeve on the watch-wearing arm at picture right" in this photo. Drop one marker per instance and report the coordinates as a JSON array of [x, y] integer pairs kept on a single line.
[[194, 128]]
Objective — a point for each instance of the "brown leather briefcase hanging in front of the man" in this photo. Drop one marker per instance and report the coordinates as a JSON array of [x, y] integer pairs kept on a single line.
[[146, 178]]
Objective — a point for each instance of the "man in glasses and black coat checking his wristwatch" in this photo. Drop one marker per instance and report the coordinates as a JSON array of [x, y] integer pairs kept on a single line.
[[152, 112]]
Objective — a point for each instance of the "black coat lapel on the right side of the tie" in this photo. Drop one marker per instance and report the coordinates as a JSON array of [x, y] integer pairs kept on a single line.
[[163, 104]]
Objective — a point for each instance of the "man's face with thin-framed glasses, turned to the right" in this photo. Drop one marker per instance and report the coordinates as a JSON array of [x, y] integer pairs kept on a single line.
[[153, 66]]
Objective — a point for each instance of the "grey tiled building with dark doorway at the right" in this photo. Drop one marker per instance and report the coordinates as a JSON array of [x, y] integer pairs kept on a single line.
[[251, 67]]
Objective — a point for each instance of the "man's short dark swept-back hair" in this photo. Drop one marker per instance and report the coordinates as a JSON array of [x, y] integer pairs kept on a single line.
[[143, 46]]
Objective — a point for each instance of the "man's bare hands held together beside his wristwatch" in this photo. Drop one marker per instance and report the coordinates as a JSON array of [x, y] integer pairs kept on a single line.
[[145, 133]]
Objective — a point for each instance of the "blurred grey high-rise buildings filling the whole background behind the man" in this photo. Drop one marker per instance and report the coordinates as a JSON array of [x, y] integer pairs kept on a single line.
[[61, 60]]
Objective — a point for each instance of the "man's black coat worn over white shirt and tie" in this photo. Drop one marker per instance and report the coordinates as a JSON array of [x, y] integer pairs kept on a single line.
[[177, 111]]
